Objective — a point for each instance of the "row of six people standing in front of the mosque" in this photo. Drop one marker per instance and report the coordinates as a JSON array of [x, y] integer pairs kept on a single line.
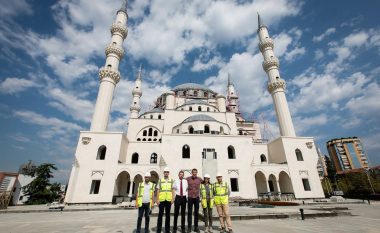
[[194, 191]]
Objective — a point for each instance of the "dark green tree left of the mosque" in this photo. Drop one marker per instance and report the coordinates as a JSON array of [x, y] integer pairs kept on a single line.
[[40, 190]]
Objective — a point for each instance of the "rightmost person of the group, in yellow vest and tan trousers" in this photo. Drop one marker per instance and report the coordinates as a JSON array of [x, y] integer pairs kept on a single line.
[[221, 194]]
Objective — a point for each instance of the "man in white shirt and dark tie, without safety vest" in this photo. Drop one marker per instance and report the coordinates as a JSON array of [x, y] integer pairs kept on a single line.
[[180, 186]]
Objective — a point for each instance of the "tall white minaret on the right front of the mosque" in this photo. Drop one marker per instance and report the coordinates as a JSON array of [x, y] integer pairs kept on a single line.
[[276, 85]]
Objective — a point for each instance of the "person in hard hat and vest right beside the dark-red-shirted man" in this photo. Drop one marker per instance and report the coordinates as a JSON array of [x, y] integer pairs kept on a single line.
[[207, 200]]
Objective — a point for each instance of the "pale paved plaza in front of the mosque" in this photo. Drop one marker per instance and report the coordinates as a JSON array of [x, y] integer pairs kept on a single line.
[[364, 218]]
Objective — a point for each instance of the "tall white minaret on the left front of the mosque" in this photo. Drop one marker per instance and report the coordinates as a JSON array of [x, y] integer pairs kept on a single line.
[[109, 75]]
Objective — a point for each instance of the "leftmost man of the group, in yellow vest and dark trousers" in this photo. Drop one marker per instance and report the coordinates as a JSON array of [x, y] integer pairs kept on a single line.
[[144, 201]]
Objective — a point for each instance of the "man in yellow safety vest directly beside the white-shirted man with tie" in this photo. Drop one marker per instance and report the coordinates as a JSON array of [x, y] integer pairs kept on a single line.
[[164, 199]]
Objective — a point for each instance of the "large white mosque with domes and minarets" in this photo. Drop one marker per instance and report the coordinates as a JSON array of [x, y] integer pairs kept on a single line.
[[191, 126]]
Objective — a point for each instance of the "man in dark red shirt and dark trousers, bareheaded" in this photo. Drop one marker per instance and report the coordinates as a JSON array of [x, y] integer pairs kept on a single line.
[[194, 184]]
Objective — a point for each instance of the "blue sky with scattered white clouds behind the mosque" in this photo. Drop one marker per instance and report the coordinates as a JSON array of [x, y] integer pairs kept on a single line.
[[51, 52]]
